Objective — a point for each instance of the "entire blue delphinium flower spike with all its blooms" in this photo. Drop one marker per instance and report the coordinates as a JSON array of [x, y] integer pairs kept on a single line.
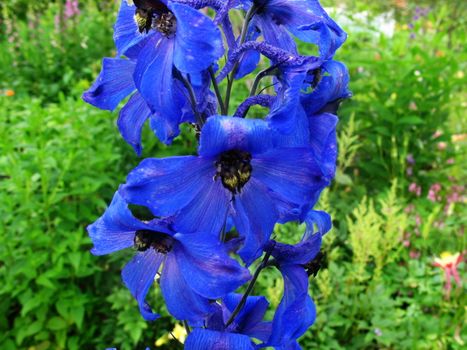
[[248, 174]]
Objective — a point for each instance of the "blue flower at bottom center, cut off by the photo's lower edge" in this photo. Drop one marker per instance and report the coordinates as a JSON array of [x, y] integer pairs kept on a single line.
[[236, 335]]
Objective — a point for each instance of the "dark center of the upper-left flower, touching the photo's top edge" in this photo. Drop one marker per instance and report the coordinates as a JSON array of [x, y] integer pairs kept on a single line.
[[154, 14]]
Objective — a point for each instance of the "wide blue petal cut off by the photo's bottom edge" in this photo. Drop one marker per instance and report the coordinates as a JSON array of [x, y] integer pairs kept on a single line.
[[203, 339]]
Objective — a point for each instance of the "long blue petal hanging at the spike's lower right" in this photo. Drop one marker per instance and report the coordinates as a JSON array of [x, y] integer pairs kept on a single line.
[[296, 311]]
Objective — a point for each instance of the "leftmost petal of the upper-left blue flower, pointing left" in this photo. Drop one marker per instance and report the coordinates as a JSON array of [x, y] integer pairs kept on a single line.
[[114, 83]]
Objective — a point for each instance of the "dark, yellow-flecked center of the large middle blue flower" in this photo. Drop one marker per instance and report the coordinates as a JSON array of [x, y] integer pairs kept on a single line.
[[234, 169]]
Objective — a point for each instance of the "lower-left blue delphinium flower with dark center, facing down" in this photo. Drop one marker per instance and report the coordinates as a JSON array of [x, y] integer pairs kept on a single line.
[[196, 267]]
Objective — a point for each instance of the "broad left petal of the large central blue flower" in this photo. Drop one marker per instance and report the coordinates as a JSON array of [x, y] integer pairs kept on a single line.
[[167, 185]]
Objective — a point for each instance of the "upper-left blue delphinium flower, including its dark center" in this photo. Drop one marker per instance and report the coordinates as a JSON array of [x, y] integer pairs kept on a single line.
[[177, 43]]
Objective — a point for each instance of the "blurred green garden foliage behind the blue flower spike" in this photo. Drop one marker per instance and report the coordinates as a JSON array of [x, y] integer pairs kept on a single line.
[[398, 200]]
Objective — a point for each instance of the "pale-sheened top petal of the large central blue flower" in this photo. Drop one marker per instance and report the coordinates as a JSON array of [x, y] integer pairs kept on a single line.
[[221, 134]]
